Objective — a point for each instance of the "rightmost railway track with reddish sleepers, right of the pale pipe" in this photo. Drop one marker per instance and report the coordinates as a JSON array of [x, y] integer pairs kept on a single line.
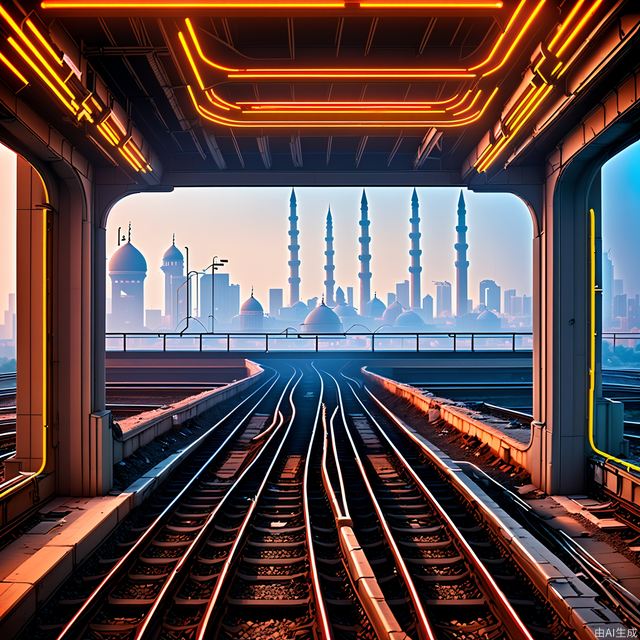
[[460, 582]]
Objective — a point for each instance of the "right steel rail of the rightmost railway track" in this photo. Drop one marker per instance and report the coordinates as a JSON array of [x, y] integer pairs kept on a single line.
[[501, 605]]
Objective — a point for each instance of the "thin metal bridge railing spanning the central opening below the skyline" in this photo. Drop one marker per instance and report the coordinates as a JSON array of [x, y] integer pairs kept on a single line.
[[366, 342]]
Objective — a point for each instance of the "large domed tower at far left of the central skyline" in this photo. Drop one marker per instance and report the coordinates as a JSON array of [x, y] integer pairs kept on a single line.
[[127, 271]]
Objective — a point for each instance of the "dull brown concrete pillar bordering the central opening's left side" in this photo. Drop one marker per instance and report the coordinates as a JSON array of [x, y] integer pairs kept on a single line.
[[83, 440]]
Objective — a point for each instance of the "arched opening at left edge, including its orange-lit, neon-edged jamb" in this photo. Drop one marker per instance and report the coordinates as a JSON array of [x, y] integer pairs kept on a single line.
[[24, 357]]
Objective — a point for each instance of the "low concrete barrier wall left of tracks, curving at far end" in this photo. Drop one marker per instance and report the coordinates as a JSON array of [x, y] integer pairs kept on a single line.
[[180, 412]]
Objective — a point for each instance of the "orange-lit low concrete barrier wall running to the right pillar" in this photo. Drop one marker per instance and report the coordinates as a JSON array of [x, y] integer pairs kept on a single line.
[[503, 445]]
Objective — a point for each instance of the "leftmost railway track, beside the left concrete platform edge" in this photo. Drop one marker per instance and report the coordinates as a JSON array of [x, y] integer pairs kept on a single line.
[[113, 594]]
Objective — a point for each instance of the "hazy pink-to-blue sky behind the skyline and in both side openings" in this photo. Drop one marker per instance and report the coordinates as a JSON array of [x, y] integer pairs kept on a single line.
[[249, 226]]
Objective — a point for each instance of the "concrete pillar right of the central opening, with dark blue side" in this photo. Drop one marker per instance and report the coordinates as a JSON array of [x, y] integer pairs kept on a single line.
[[561, 324]]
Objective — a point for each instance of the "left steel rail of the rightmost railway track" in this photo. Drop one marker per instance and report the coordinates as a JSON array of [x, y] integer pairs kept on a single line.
[[424, 627]]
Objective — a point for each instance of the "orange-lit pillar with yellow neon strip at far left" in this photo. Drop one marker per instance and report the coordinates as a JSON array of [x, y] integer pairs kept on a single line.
[[32, 324]]
